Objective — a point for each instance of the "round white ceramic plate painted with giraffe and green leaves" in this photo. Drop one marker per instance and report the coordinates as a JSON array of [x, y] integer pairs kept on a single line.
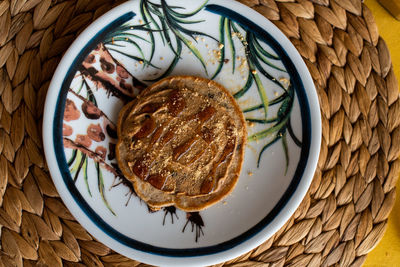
[[140, 42]]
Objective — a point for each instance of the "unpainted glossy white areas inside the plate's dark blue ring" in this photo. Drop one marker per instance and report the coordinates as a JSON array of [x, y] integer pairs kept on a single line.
[[258, 189]]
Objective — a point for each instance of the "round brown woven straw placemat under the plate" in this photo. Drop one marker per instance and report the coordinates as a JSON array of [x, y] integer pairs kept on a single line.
[[343, 216]]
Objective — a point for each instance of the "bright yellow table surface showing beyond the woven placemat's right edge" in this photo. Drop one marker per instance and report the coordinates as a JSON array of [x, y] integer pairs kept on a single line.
[[387, 252]]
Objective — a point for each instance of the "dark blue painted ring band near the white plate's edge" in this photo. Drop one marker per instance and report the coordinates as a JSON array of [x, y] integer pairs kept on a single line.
[[187, 252]]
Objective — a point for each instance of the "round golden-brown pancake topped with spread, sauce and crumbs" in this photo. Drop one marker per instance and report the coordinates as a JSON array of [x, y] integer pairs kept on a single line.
[[181, 142]]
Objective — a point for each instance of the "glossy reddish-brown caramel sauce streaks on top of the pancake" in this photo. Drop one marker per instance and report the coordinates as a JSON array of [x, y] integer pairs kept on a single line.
[[176, 104]]
